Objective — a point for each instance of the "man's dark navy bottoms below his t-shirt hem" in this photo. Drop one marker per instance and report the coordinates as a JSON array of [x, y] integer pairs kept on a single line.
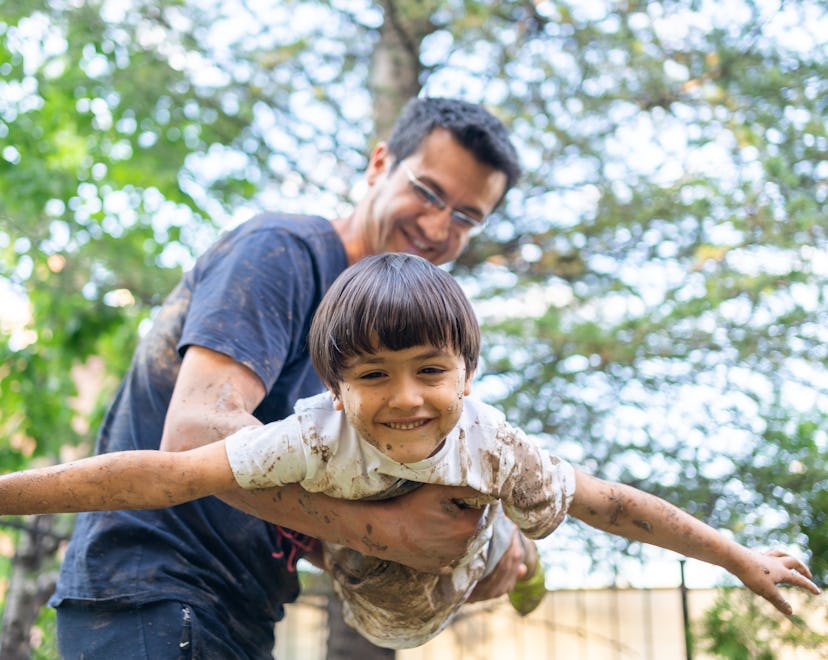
[[166, 630]]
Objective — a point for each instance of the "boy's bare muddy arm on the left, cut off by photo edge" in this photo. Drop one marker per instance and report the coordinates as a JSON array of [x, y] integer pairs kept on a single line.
[[122, 480]]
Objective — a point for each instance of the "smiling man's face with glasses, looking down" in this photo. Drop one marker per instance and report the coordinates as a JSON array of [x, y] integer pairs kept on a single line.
[[397, 217]]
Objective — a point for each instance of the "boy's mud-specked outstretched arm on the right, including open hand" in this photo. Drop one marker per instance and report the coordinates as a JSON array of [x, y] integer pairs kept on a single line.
[[639, 516]]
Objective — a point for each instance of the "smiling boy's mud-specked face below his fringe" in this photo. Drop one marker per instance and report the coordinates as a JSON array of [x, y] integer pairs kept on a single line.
[[404, 402]]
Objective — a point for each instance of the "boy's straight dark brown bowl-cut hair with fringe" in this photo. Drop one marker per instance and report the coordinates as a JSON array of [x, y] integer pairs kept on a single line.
[[390, 302]]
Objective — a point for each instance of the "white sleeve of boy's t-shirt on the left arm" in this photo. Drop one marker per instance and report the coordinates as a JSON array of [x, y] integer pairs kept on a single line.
[[269, 455]]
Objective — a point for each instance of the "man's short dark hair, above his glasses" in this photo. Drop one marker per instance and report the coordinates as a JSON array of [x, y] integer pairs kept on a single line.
[[483, 134]]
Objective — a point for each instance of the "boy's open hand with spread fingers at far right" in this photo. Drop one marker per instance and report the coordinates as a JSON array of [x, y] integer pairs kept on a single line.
[[764, 571]]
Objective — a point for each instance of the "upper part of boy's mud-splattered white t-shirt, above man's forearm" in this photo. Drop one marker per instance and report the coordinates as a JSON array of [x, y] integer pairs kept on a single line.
[[319, 450]]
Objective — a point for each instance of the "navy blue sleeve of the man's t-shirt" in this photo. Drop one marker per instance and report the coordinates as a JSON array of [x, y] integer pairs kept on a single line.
[[252, 300]]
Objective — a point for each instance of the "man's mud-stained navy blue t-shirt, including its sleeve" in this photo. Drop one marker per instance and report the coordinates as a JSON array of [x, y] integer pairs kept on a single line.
[[251, 296]]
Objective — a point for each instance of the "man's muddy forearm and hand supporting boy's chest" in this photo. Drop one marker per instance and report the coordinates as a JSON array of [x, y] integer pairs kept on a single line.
[[424, 529]]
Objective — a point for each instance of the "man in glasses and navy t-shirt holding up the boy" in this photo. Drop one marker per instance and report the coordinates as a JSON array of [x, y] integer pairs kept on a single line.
[[228, 350]]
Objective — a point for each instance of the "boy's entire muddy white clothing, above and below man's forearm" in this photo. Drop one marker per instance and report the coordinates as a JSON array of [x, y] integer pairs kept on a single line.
[[390, 604]]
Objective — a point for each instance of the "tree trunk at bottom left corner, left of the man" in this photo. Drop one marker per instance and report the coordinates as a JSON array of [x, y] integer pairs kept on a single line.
[[29, 585]]
